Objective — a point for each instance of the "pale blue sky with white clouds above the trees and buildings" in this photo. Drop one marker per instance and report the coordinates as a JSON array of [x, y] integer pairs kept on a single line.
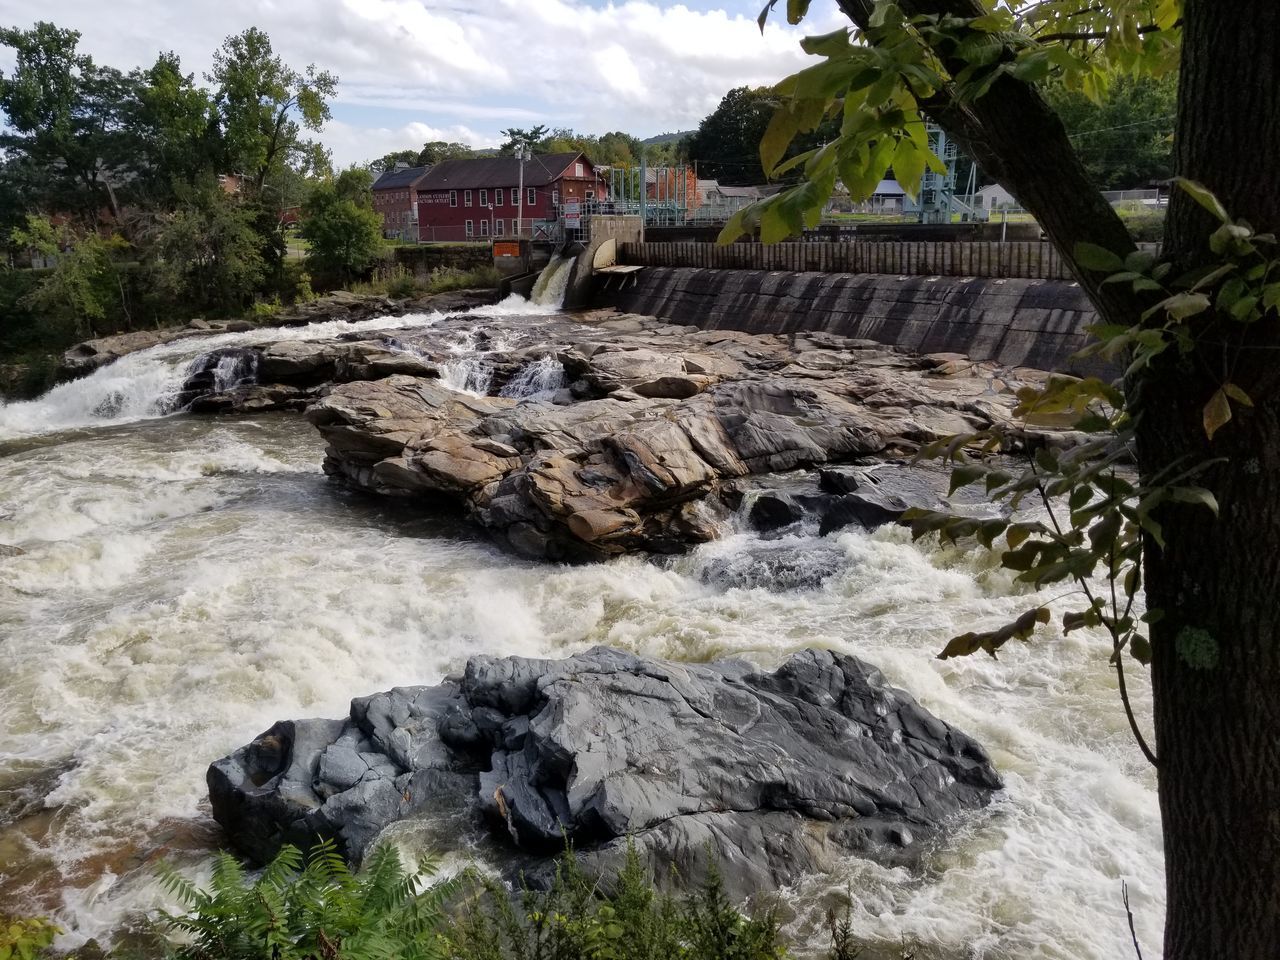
[[415, 71]]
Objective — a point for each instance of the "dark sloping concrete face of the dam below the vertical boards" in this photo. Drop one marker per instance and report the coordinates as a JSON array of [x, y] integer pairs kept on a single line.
[[1013, 322]]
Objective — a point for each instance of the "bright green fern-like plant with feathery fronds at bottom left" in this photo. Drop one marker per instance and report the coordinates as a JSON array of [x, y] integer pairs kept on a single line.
[[318, 911]]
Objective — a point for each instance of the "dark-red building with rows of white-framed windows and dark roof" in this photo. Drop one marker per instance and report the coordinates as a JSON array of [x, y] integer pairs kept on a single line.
[[479, 199]]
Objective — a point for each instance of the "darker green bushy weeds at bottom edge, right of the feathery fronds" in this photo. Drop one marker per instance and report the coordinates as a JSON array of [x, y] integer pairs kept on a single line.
[[573, 921]]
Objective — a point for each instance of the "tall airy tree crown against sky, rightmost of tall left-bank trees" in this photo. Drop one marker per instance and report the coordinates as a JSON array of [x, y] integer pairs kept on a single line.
[[266, 106]]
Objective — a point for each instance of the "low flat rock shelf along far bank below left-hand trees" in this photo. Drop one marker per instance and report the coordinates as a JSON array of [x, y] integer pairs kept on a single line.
[[90, 355]]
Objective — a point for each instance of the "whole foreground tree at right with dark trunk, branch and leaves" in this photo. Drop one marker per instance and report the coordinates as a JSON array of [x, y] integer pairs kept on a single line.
[[1200, 397]]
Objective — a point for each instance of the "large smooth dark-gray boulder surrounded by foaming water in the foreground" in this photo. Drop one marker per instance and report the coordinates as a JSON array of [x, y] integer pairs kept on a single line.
[[775, 774]]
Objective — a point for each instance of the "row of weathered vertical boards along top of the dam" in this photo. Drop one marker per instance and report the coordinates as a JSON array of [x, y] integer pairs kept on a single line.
[[1023, 260]]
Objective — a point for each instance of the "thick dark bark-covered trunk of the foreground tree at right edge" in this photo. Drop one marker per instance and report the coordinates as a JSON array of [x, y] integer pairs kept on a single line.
[[1217, 669]]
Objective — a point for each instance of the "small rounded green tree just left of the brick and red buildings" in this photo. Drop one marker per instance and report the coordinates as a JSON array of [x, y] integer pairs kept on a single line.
[[345, 231]]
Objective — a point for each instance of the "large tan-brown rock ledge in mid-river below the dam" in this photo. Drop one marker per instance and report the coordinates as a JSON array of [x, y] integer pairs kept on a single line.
[[655, 435]]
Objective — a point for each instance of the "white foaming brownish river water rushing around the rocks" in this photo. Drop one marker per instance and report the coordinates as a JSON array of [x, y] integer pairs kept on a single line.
[[188, 582]]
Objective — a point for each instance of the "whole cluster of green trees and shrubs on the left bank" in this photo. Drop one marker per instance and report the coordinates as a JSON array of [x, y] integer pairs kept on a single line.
[[149, 194]]
